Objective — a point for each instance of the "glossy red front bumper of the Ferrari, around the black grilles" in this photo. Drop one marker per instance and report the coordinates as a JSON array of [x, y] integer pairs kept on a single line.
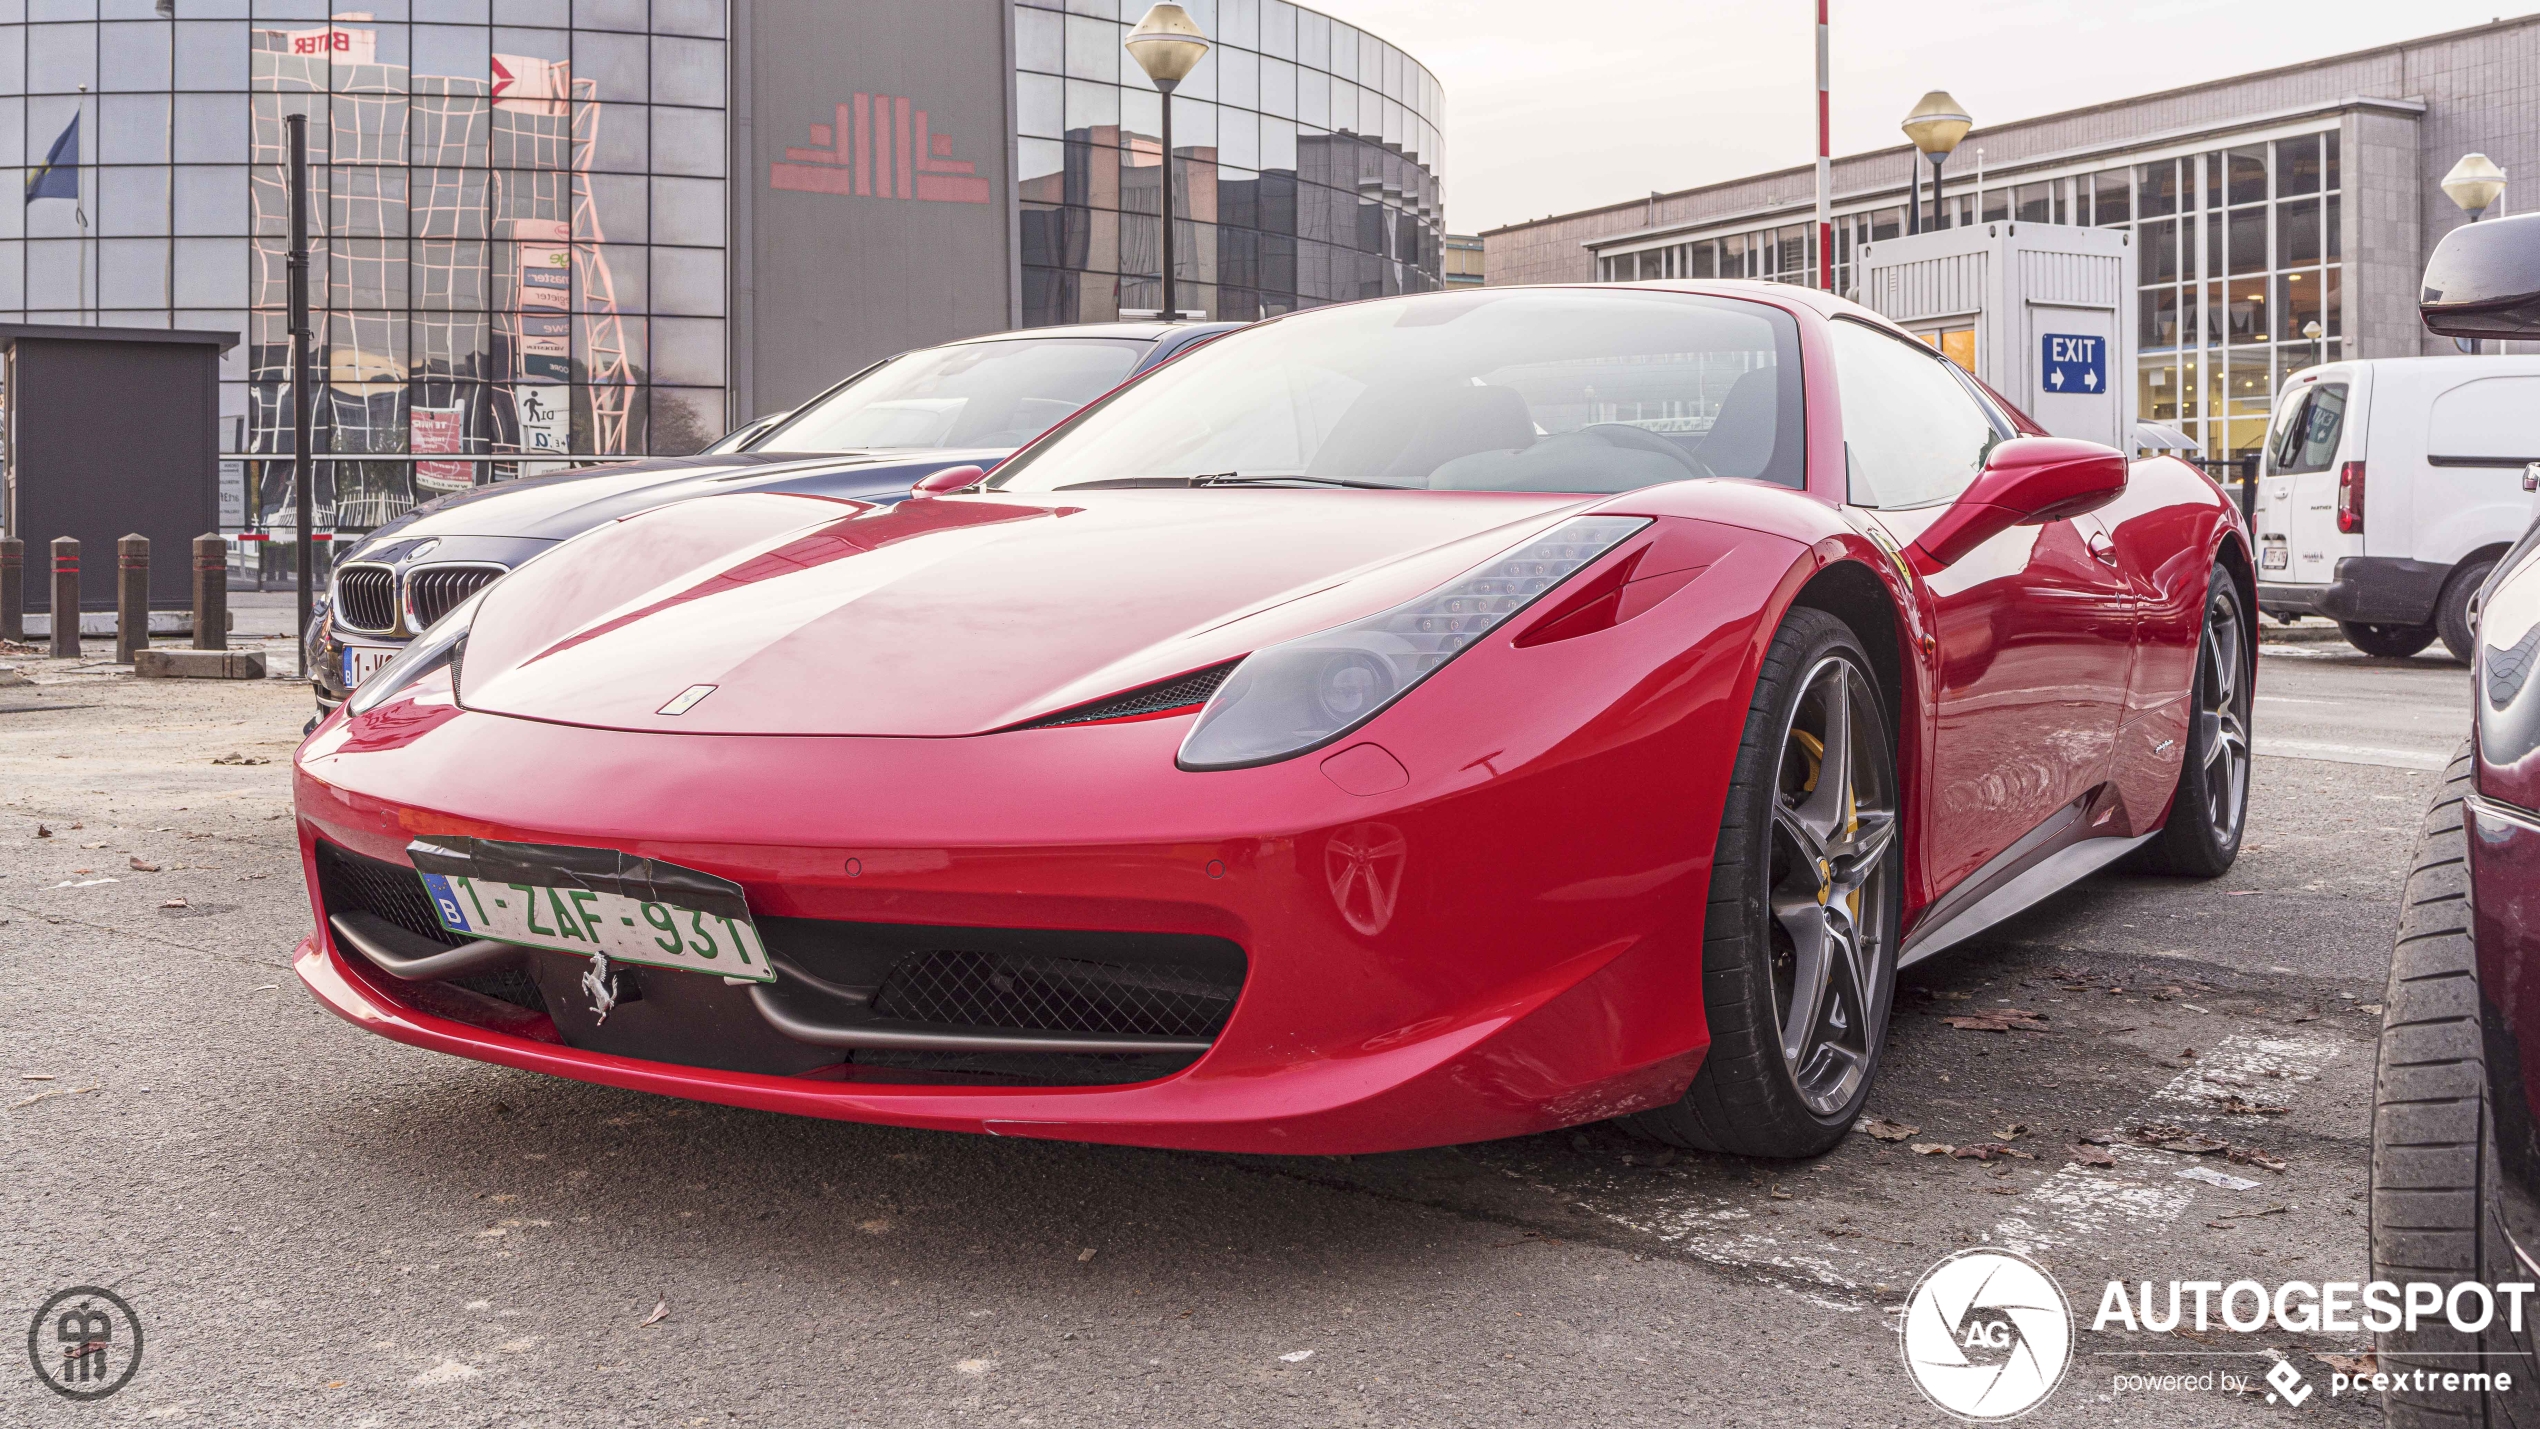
[[1416, 976]]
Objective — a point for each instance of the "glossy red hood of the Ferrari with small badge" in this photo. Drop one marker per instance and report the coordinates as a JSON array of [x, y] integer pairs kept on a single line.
[[951, 616]]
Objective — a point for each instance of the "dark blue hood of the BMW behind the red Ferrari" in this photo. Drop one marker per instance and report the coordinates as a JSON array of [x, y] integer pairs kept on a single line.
[[568, 504]]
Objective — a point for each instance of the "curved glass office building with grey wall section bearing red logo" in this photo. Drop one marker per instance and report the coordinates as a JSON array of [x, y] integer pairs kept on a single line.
[[547, 227]]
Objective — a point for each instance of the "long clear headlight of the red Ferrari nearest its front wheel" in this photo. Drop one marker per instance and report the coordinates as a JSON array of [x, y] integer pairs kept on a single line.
[[1297, 697]]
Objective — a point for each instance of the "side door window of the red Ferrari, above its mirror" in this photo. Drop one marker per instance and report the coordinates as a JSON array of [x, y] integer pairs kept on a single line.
[[1914, 435]]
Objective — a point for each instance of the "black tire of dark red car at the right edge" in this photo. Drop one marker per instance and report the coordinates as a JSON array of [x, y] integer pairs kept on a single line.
[[2435, 1146]]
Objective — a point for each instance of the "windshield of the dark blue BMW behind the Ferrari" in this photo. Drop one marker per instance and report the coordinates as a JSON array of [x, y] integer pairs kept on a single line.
[[969, 395]]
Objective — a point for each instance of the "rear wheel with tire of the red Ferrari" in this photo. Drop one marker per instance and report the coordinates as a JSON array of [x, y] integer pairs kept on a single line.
[[2211, 803]]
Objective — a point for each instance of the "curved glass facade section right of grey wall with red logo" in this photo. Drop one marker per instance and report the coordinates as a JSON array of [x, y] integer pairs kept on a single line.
[[1304, 166]]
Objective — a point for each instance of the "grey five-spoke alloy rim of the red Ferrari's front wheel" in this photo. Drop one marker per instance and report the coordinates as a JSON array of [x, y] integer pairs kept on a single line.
[[1835, 821]]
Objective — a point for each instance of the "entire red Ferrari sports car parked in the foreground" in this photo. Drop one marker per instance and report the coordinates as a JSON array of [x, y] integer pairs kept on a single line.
[[1396, 725]]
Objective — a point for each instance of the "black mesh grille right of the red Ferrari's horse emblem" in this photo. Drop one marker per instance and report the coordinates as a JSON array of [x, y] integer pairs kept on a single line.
[[1058, 996]]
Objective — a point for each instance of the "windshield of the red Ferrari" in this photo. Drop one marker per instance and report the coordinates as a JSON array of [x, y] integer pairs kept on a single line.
[[1551, 390]]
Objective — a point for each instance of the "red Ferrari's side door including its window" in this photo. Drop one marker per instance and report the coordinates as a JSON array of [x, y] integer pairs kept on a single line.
[[2033, 628]]
